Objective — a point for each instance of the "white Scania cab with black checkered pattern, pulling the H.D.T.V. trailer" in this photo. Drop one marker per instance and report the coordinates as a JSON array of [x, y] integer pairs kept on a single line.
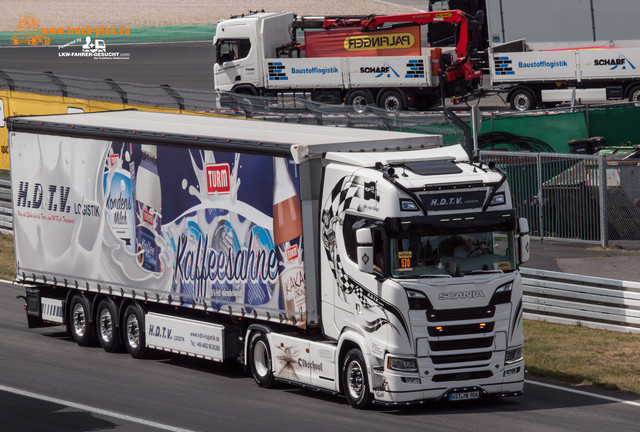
[[420, 269]]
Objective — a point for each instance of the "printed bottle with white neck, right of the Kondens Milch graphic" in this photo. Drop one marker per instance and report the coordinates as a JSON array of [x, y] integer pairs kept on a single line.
[[148, 210]]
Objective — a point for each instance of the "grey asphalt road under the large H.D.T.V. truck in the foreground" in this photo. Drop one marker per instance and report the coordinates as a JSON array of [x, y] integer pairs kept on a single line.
[[48, 383]]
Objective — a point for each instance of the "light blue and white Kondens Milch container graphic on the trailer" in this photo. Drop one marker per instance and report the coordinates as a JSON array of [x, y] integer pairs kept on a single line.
[[118, 193]]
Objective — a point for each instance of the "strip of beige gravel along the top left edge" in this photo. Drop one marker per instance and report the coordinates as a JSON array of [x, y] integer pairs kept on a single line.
[[145, 13]]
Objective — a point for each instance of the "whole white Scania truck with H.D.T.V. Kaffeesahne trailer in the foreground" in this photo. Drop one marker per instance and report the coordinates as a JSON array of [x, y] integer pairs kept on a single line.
[[378, 265]]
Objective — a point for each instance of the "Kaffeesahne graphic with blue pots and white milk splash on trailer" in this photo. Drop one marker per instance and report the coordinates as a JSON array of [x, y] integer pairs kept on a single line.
[[220, 249]]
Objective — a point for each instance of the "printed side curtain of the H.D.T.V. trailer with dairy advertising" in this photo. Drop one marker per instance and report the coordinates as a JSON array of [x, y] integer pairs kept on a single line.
[[206, 227]]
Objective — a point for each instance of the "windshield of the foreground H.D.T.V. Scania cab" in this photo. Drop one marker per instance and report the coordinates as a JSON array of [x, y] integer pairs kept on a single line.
[[416, 254]]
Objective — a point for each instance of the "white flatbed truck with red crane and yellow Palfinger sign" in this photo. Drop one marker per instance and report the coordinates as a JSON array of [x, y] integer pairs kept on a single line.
[[365, 60]]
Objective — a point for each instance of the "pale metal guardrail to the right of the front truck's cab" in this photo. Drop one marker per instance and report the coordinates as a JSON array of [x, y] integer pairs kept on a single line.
[[593, 302]]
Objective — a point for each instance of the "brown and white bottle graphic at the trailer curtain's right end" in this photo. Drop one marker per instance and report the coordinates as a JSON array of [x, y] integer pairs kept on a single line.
[[287, 237]]
